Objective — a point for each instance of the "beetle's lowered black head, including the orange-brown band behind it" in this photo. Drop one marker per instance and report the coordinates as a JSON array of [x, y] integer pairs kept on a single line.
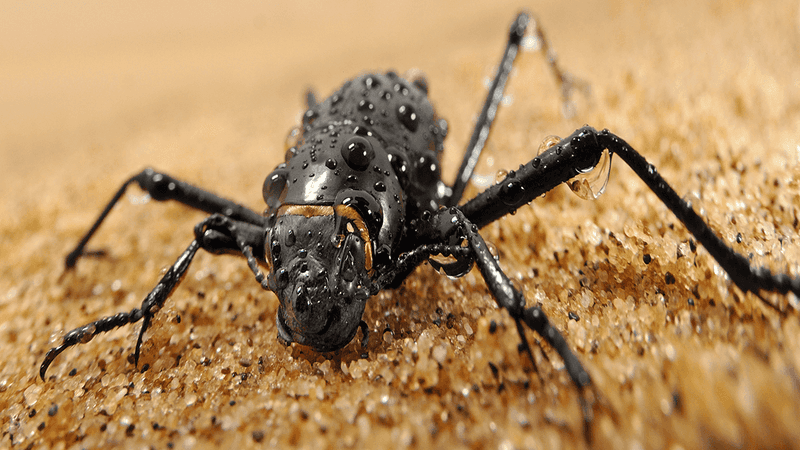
[[321, 258]]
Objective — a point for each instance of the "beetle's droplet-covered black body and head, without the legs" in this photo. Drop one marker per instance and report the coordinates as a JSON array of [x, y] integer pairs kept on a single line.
[[367, 159]]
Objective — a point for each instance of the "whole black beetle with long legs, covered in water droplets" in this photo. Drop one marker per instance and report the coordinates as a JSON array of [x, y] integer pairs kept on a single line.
[[359, 203]]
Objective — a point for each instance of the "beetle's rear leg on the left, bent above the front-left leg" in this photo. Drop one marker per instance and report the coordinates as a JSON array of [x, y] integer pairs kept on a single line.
[[162, 187]]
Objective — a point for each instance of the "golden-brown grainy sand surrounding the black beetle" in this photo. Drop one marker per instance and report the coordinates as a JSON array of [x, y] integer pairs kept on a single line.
[[680, 358]]
